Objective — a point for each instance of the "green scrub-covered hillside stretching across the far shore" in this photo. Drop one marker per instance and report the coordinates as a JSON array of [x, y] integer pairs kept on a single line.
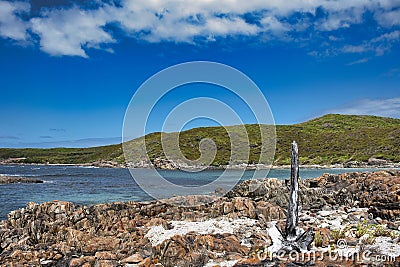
[[325, 140]]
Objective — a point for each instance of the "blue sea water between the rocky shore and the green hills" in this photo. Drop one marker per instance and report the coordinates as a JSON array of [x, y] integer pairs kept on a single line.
[[83, 185]]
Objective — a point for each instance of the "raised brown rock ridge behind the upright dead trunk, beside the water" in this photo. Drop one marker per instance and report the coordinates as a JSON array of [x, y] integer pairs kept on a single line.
[[379, 191]]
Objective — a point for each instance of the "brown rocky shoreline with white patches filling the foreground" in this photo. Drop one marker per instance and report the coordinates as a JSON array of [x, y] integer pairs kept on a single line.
[[351, 213]]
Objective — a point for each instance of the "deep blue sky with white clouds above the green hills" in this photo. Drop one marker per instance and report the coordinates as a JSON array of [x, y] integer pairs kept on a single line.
[[68, 70]]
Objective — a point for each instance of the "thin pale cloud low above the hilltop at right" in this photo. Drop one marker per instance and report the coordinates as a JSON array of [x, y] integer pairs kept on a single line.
[[378, 107]]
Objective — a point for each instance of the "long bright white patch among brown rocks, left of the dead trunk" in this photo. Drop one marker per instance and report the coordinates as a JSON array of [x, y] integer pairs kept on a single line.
[[157, 234]]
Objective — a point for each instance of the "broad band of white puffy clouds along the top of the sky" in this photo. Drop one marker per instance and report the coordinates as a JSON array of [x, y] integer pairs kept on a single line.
[[73, 30]]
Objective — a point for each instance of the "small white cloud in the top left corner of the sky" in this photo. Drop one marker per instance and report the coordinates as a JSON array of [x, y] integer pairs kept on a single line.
[[12, 26]]
